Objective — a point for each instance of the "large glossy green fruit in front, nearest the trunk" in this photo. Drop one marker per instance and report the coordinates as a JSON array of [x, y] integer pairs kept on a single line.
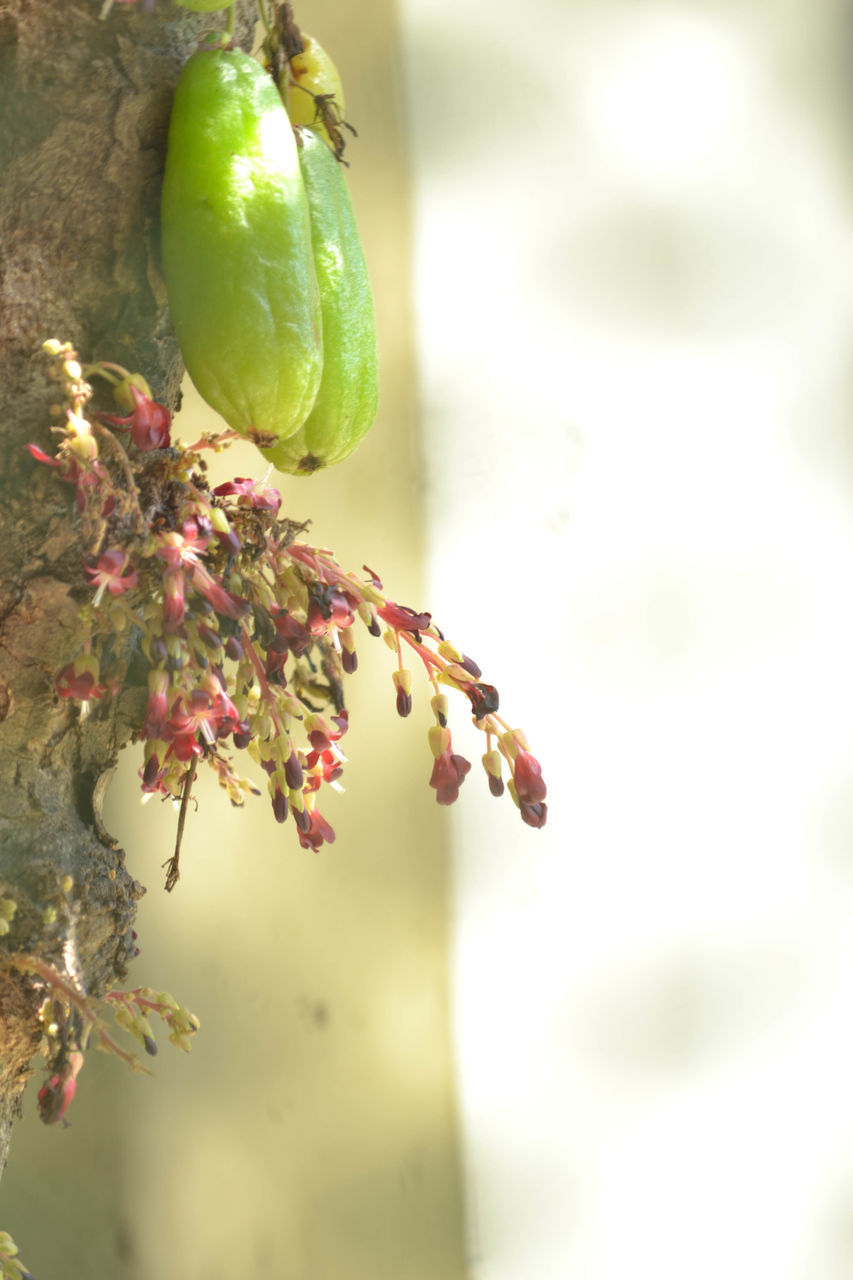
[[238, 253]]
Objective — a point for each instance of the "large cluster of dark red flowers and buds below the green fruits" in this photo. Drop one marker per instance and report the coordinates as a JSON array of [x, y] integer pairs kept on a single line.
[[247, 630]]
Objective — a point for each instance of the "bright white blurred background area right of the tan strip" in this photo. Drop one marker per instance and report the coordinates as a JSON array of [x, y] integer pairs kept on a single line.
[[635, 319]]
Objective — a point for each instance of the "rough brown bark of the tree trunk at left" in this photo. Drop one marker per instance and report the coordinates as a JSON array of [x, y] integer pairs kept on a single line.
[[84, 115]]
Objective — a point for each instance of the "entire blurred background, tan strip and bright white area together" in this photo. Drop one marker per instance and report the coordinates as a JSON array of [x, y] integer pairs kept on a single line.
[[612, 252]]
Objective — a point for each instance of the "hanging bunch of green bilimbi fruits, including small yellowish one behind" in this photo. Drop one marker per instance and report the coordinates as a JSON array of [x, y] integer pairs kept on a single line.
[[267, 278]]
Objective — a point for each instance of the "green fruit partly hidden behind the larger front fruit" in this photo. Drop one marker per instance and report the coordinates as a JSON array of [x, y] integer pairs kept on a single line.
[[346, 403]]
